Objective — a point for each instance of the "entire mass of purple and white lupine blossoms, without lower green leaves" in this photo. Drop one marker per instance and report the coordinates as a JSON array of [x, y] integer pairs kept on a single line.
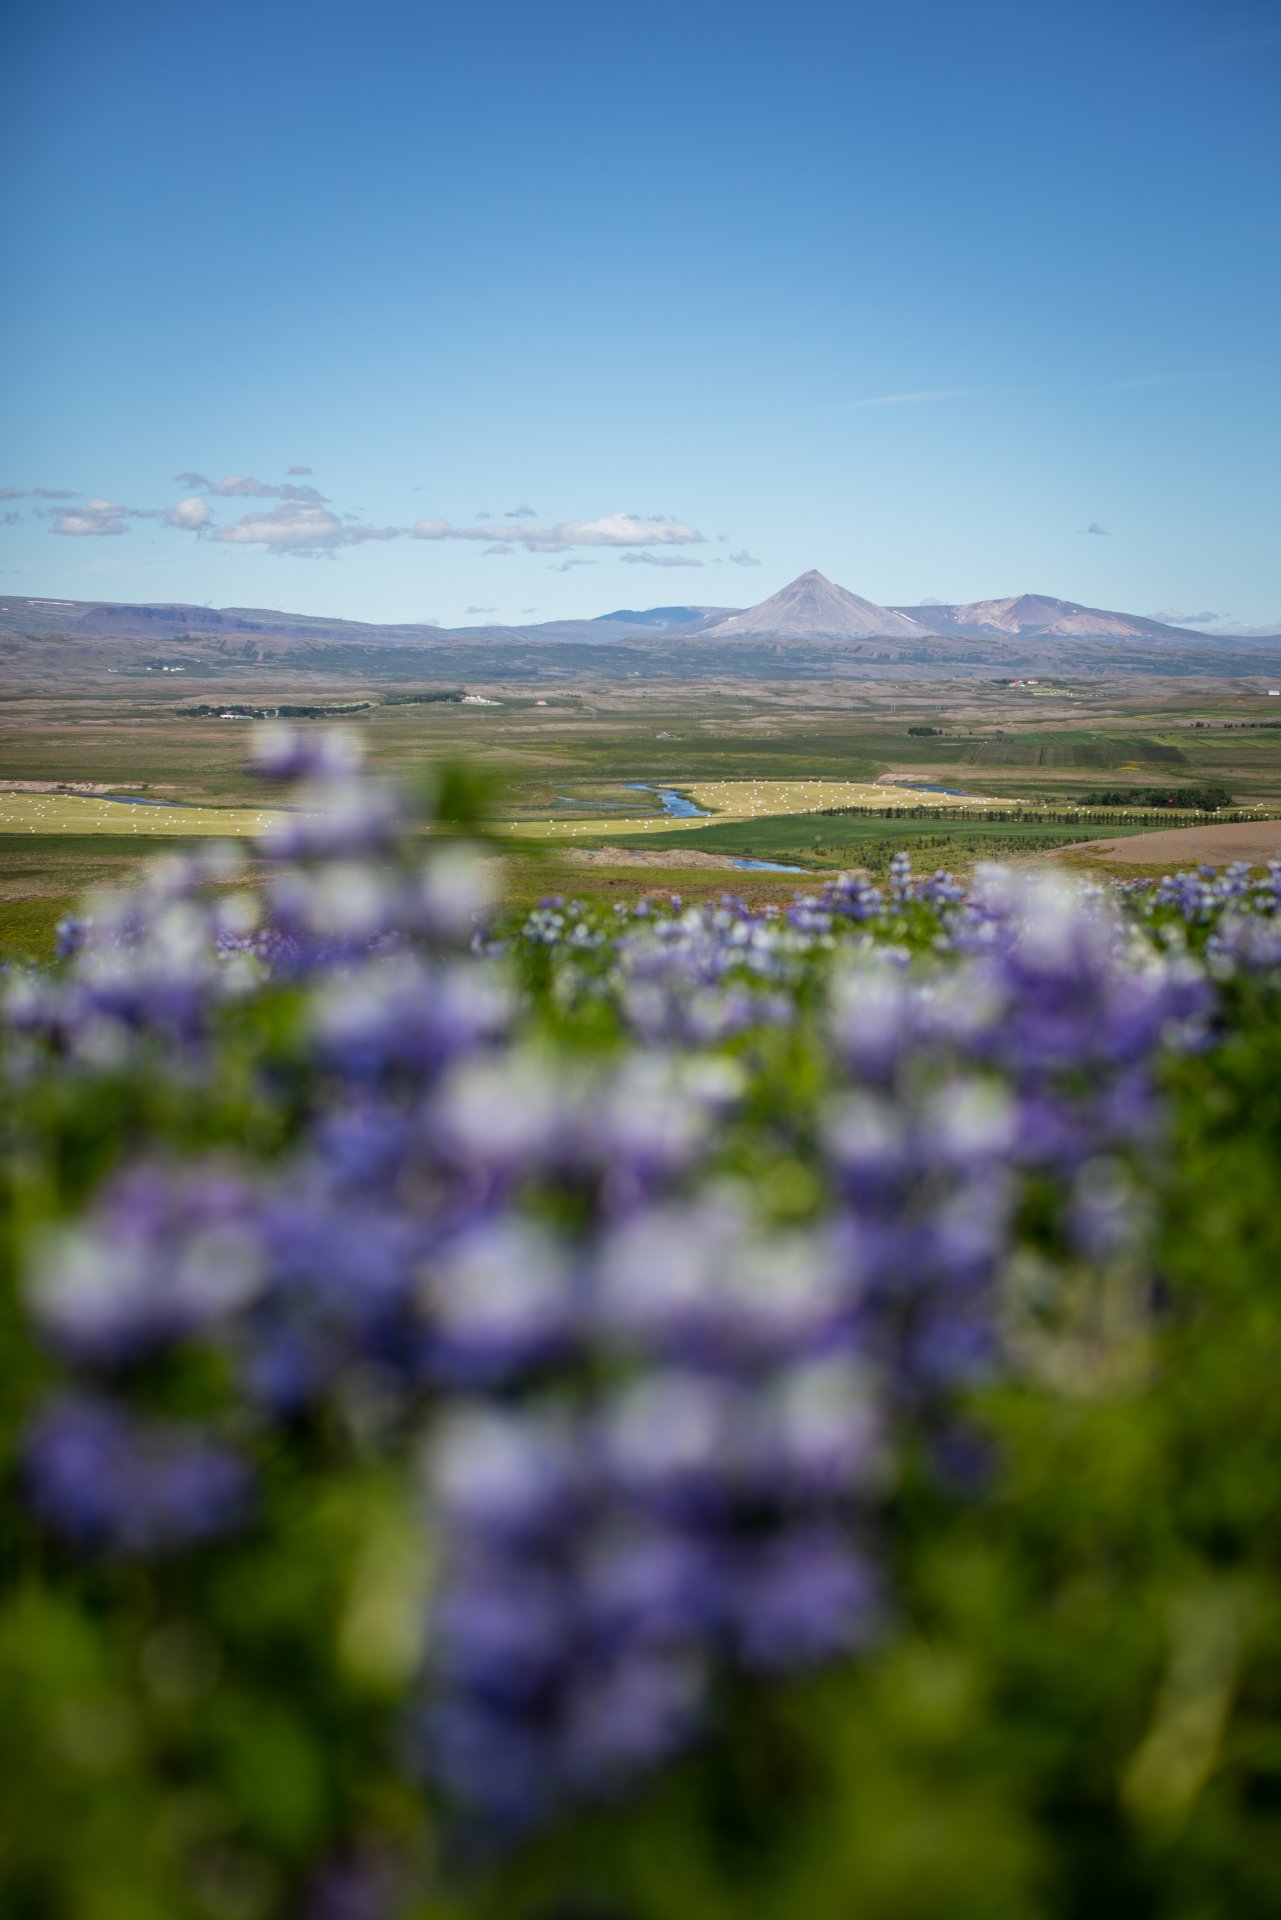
[[656, 1408]]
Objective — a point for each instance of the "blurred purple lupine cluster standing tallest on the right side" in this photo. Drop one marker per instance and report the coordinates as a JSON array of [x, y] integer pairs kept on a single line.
[[1021, 1068]]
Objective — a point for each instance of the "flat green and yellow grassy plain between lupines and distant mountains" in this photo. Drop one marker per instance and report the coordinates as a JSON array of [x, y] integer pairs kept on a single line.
[[566, 754]]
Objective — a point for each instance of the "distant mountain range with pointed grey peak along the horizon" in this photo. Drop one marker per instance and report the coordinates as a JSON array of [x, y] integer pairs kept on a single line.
[[811, 625]]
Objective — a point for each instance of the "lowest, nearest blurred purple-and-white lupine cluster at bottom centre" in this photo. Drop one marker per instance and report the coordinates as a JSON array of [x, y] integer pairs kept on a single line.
[[689, 1493]]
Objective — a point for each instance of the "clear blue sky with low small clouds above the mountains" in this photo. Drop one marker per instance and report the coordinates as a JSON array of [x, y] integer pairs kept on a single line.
[[917, 295]]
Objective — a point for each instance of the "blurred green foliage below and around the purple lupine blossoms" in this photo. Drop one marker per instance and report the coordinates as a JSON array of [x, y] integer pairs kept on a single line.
[[1076, 1712]]
